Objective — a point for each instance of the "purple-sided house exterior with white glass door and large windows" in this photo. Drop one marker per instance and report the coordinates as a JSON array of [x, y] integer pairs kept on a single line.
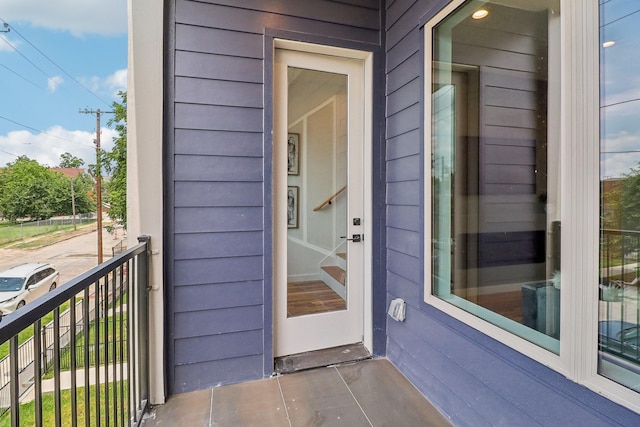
[[443, 154]]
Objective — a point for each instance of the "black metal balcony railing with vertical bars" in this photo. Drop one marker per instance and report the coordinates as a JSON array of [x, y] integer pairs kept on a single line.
[[79, 355]]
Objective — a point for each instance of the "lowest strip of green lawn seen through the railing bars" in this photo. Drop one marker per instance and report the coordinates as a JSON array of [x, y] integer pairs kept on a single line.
[[117, 390]]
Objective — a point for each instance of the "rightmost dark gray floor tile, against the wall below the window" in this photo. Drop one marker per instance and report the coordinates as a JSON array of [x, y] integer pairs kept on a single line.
[[387, 397]]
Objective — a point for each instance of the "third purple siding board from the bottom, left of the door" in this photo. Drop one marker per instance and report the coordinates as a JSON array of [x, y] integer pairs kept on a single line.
[[217, 322]]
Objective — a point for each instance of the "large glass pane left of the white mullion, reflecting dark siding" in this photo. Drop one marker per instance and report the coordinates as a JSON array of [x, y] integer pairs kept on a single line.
[[495, 166]]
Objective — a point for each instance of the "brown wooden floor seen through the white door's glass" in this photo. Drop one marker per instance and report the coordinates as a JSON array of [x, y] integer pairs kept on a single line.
[[312, 298]]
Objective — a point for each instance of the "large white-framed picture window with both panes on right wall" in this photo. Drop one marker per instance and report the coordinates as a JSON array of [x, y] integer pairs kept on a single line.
[[532, 132]]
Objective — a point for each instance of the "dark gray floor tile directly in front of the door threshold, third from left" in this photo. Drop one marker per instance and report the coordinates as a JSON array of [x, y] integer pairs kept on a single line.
[[320, 397]]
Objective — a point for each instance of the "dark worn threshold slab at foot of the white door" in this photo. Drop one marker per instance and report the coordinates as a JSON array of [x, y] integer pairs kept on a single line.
[[320, 358]]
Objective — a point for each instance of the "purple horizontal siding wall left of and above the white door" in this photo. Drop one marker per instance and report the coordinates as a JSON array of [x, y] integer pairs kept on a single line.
[[217, 185]]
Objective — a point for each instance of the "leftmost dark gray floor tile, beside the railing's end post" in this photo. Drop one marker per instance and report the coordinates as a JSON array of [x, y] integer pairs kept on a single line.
[[188, 409]]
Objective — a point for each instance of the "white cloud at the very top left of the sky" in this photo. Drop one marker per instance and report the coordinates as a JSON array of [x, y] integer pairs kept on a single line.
[[79, 17]]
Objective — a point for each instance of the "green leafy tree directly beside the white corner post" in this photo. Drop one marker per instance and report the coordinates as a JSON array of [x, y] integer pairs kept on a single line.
[[116, 164]]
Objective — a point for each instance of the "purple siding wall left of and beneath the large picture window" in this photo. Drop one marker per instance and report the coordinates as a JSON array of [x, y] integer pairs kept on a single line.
[[472, 378]]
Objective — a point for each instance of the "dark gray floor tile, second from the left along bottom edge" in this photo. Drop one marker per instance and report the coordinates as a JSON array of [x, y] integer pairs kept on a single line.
[[256, 403]]
